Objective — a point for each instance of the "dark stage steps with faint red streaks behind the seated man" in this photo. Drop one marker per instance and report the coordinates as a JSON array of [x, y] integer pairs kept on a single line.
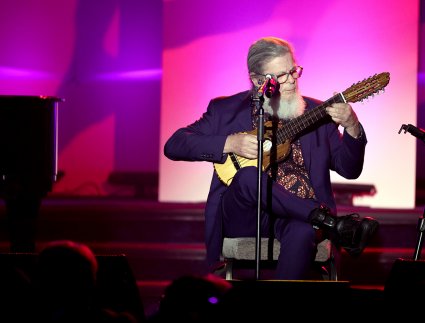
[[163, 241]]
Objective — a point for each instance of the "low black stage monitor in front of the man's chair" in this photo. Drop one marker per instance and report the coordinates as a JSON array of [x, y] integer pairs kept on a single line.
[[264, 300]]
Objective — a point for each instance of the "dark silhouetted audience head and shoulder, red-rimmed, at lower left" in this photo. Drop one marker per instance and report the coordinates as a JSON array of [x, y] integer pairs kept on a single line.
[[65, 285]]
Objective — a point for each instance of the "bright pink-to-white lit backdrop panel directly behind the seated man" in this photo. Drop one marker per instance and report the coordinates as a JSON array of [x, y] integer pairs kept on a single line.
[[338, 44]]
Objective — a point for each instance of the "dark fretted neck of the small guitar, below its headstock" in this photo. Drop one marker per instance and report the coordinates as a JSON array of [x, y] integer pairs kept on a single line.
[[310, 117]]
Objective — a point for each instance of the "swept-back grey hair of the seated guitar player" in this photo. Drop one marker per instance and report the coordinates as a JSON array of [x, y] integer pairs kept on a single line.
[[265, 49]]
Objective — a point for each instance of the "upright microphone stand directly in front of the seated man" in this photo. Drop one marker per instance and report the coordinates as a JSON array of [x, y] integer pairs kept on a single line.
[[258, 101]]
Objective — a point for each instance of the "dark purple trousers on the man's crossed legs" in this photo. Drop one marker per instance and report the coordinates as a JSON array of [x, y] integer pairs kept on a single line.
[[283, 214]]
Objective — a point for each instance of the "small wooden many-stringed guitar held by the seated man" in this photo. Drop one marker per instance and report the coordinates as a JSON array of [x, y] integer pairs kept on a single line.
[[284, 136]]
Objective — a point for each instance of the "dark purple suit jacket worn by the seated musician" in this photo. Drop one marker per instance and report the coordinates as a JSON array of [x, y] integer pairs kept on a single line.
[[324, 148]]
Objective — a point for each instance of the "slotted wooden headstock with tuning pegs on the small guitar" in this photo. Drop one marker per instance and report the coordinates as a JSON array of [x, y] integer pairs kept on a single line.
[[367, 87]]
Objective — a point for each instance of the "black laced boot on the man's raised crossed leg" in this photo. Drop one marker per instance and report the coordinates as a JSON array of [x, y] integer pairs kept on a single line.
[[350, 231]]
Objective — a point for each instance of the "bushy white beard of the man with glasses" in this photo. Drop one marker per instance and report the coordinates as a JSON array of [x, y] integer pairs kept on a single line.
[[285, 108]]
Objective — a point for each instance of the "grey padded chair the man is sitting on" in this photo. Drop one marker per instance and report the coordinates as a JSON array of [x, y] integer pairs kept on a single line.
[[240, 253]]
